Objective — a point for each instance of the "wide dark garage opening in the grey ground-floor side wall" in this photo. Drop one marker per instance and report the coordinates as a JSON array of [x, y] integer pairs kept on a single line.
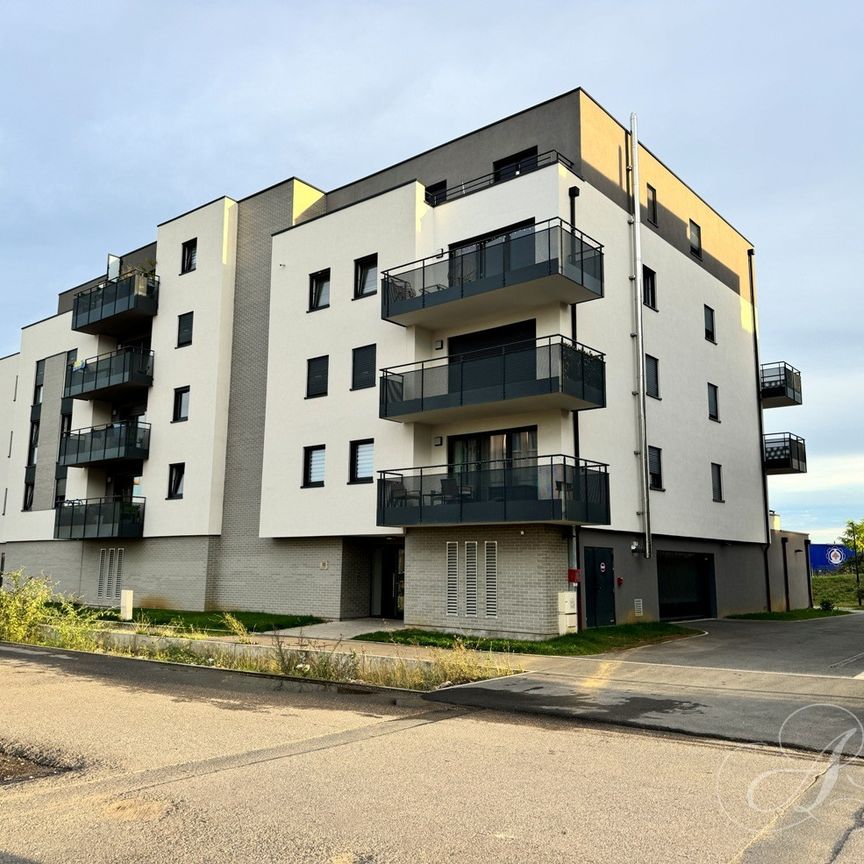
[[685, 585]]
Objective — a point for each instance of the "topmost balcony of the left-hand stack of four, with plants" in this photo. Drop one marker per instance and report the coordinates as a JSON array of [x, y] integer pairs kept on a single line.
[[116, 307]]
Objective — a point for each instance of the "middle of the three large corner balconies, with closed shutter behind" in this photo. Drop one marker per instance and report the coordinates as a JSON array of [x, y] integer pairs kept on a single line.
[[551, 372]]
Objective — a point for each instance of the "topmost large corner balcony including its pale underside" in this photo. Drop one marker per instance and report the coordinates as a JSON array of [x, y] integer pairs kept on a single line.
[[548, 263]]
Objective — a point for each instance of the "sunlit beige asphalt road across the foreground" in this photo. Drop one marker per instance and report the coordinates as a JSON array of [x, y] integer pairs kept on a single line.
[[178, 764]]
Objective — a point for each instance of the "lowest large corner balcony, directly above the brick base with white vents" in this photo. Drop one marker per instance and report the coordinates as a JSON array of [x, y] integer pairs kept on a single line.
[[532, 489]]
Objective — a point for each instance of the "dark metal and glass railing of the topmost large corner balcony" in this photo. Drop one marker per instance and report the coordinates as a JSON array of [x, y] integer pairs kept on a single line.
[[511, 258]]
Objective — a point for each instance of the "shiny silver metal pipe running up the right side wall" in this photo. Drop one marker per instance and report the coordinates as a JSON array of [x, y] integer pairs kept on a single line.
[[639, 336]]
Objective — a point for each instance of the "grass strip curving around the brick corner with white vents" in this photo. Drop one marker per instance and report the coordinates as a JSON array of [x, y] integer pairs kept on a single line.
[[594, 641]]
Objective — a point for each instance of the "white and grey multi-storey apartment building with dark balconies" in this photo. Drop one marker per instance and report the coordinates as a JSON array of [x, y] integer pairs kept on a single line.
[[447, 392]]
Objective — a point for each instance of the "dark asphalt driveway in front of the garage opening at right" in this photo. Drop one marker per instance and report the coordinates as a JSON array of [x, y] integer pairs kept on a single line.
[[820, 646]]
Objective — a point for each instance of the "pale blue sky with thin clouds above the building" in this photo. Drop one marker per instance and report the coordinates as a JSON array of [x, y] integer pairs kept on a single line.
[[116, 116]]
